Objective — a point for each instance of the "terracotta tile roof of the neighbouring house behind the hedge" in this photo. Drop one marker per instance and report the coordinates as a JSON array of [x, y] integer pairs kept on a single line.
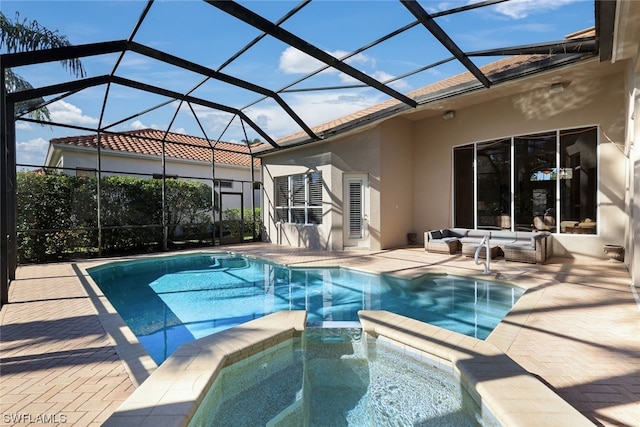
[[148, 141]]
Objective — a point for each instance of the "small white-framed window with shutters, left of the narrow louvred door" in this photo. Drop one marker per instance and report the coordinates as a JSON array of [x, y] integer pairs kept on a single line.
[[298, 198]]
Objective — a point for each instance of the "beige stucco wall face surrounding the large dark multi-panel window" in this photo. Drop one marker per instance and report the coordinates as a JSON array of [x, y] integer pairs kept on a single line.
[[585, 102]]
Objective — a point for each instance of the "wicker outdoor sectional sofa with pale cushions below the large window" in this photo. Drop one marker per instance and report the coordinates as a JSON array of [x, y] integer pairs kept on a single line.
[[521, 246]]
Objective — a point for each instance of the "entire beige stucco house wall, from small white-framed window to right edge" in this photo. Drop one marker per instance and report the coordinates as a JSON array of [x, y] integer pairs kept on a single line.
[[409, 163]]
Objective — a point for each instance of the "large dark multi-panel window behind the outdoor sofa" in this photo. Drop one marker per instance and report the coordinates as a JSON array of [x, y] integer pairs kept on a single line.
[[545, 181]]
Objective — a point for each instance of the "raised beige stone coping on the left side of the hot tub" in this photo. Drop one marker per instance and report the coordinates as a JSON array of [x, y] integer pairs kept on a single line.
[[171, 395]]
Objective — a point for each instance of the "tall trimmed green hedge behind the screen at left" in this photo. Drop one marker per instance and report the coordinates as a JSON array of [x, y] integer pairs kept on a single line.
[[57, 214]]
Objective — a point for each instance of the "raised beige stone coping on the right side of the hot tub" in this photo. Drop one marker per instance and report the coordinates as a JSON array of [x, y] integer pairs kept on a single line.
[[505, 391]]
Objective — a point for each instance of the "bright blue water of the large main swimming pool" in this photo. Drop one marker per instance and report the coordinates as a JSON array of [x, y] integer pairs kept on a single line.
[[169, 301]]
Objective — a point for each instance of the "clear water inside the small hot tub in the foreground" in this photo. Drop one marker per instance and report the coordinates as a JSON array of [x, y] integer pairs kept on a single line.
[[336, 377]]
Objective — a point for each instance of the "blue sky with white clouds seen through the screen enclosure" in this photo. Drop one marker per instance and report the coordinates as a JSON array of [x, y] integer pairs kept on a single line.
[[198, 32]]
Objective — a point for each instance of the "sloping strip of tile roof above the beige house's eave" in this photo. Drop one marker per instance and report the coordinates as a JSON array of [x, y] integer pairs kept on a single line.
[[516, 63]]
